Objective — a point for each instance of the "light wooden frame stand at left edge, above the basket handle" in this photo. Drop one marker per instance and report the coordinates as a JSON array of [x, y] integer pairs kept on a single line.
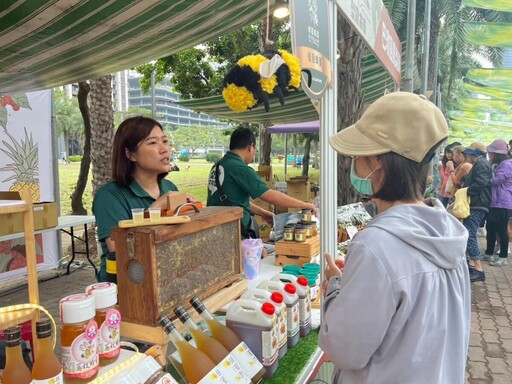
[[13, 318]]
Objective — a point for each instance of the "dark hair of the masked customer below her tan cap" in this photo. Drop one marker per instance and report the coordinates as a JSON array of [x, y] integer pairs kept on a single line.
[[404, 179]]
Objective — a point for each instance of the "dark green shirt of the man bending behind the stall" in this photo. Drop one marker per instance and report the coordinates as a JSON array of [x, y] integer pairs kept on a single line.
[[239, 182]]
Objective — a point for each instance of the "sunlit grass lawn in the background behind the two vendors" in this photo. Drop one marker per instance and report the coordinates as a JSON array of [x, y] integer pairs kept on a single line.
[[192, 178]]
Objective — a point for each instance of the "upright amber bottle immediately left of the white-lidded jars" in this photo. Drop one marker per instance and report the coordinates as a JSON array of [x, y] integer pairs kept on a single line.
[[47, 368]]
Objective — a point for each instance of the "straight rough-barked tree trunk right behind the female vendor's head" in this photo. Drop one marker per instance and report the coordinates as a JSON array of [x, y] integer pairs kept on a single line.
[[102, 131]]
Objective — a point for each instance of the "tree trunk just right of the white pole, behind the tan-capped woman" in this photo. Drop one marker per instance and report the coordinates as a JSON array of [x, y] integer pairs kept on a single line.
[[350, 99]]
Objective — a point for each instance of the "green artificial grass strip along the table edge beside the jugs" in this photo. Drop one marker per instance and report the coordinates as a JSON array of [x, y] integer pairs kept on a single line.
[[293, 362]]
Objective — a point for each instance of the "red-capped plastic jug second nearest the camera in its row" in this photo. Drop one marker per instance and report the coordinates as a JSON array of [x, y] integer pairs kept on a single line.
[[277, 299]]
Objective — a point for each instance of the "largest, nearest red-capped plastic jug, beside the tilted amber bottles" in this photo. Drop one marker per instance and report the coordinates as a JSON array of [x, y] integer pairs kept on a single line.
[[255, 324]]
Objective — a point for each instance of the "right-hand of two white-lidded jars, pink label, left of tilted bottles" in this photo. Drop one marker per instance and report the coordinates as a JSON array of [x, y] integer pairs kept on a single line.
[[108, 318]]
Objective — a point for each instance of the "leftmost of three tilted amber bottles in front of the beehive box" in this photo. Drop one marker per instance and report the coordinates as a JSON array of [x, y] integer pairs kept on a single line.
[[196, 364]]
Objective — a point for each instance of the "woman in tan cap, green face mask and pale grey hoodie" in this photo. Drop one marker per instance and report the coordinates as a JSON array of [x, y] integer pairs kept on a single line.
[[400, 311]]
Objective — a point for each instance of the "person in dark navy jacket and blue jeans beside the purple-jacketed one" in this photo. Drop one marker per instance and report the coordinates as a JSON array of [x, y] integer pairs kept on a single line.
[[478, 182]]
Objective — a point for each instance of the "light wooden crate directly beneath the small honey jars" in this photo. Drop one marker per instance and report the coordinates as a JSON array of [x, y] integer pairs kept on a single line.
[[292, 252]]
